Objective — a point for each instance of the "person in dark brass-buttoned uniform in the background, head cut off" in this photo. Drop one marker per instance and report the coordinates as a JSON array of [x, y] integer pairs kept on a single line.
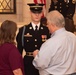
[[67, 9]]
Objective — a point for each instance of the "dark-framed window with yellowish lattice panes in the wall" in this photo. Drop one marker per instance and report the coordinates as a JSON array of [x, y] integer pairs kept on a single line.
[[7, 6]]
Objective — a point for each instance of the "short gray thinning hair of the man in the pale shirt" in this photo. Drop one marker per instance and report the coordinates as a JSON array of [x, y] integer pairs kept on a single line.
[[56, 18]]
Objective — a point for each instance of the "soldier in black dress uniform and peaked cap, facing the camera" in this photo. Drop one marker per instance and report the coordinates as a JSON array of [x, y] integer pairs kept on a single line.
[[30, 39]]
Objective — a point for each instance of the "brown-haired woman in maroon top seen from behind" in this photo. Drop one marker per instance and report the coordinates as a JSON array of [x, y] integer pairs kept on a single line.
[[10, 60]]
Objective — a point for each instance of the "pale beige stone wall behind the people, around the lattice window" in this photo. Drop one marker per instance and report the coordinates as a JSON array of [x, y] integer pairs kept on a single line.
[[22, 16]]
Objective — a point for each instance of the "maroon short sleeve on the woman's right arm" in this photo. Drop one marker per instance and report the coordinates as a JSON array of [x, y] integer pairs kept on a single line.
[[15, 59]]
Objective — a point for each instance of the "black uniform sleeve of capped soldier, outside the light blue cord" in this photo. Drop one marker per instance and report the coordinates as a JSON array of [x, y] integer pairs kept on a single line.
[[19, 40]]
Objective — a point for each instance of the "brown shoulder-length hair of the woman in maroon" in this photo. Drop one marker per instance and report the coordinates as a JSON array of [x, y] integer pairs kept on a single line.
[[8, 32]]
